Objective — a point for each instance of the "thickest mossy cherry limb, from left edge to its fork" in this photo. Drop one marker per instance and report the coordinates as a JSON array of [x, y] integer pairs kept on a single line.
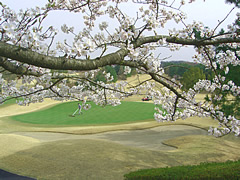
[[60, 63]]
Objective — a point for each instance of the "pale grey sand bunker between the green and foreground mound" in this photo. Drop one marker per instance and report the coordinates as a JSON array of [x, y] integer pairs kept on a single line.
[[148, 139]]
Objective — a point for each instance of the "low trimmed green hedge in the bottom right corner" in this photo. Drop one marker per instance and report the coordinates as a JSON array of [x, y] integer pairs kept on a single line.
[[226, 170]]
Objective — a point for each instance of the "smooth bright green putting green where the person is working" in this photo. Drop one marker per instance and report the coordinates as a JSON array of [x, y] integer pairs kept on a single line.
[[61, 114]]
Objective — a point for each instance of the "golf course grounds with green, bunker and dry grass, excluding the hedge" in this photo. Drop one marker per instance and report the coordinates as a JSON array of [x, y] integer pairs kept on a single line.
[[48, 141]]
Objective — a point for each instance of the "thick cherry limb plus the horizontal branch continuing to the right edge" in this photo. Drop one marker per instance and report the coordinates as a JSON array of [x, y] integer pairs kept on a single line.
[[33, 58]]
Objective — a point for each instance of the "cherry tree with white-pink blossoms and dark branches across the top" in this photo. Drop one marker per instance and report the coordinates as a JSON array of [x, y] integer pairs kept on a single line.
[[29, 49]]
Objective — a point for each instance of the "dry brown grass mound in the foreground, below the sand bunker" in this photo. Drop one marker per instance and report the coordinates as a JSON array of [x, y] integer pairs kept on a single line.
[[99, 159]]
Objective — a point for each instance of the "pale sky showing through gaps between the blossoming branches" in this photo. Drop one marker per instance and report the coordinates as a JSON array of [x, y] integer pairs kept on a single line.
[[210, 12]]
